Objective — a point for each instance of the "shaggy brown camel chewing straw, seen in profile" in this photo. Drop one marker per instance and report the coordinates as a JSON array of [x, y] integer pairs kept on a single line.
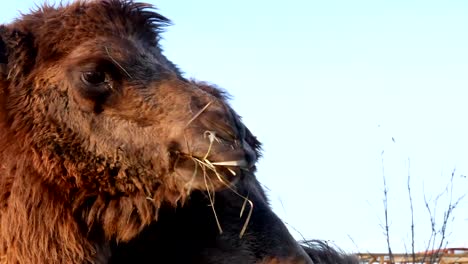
[[99, 136]]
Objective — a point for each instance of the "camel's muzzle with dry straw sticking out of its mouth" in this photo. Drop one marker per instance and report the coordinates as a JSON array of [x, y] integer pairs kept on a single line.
[[209, 159]]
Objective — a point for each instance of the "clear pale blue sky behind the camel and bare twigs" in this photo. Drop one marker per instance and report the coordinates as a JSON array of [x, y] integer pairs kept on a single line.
[[326, 85]]
